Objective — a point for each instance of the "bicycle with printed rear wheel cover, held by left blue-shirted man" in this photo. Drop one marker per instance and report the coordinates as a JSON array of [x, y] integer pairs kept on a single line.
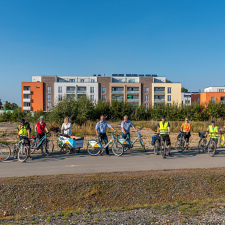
[[95, 148]]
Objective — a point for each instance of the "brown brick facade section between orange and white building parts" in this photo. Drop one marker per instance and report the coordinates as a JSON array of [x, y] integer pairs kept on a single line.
[[48, 82]]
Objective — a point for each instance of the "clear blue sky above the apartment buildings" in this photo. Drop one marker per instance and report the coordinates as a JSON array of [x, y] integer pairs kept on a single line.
[[183, 40]]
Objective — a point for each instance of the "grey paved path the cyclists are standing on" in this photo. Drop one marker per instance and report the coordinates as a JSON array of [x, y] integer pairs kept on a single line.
[[130, 161]]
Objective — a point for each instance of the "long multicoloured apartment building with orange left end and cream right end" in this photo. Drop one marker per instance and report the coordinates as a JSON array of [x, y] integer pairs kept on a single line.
[[136, 89]]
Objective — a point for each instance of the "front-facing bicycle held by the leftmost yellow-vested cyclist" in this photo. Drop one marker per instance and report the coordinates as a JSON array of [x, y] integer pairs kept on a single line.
[[20, 151]]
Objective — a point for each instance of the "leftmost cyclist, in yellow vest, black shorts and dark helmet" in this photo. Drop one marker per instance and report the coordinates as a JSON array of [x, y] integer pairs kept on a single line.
[[23, 131]]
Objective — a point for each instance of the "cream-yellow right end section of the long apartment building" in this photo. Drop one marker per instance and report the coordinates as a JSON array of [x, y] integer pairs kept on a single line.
[[166, 93]]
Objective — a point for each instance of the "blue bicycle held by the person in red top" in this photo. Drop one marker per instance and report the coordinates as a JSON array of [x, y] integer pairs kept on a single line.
[[42, 143]]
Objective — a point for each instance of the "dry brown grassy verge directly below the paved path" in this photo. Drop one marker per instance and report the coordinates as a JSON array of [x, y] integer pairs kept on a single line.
[[117, 191]]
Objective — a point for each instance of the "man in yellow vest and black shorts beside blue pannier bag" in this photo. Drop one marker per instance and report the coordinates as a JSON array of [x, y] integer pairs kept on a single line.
[[164, 130]]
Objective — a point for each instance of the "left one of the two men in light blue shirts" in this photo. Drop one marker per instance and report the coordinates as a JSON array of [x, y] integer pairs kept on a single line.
[[100, 129]]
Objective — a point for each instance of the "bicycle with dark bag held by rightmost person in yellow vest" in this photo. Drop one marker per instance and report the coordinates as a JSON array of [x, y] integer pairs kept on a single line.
[[203, 145]]
